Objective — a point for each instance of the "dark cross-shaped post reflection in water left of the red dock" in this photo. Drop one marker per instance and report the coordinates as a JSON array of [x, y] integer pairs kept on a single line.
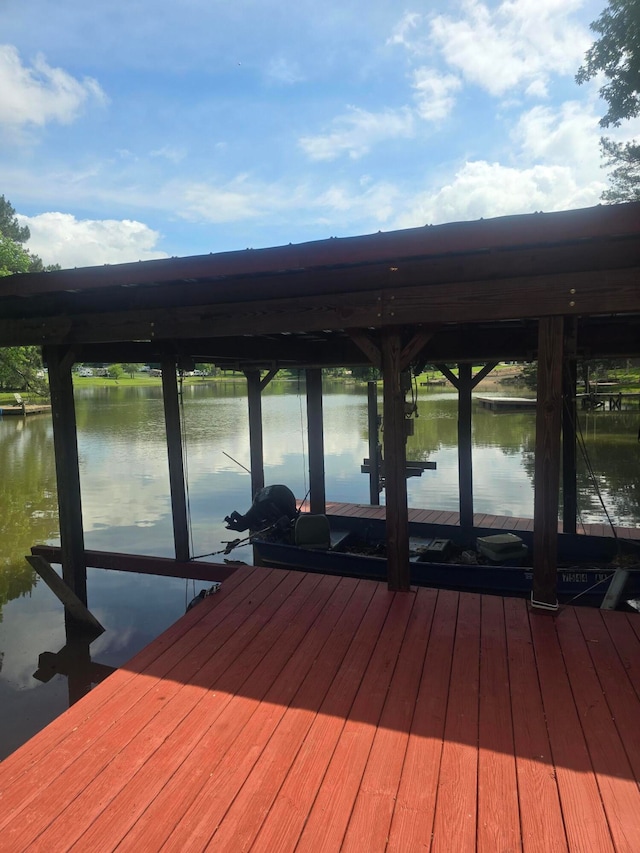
[[73, 661]]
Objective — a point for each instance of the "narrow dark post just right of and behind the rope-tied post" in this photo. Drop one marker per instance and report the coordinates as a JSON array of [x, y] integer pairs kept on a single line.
[[569, 424]]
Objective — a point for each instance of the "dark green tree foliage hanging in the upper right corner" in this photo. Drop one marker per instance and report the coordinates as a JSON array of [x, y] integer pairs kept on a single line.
[[616, 54]]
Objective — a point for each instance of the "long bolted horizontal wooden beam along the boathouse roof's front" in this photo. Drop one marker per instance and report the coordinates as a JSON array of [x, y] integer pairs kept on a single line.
[[597, 292]]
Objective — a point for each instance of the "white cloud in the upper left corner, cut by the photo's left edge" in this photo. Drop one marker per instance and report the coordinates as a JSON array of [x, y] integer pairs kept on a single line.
[[39, 94]]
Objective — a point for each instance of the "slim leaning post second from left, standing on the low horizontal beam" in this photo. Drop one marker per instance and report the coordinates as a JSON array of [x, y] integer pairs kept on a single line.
[[176, 463]]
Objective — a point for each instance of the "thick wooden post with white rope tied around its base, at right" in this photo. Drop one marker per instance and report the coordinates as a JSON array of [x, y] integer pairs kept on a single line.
[[547, 463]]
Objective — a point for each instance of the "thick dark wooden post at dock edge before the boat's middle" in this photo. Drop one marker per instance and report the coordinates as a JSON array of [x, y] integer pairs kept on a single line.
[[397, 514]]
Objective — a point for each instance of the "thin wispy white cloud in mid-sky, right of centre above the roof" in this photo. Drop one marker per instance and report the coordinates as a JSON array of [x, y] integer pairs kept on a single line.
[[356, 132]]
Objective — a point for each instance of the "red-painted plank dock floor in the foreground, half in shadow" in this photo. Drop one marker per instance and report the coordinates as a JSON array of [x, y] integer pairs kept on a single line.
[[307, 712]]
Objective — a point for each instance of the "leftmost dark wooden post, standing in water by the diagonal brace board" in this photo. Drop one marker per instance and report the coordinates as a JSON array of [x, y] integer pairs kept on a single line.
[[59, 361]]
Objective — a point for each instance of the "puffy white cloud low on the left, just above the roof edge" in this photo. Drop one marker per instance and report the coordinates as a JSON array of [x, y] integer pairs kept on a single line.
[[60, 238]]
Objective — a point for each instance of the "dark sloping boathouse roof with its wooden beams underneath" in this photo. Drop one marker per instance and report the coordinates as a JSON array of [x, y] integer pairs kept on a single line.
[[476, 287]]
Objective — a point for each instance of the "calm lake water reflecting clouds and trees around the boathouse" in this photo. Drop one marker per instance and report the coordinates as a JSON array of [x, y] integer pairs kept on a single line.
[[126, 505]]
